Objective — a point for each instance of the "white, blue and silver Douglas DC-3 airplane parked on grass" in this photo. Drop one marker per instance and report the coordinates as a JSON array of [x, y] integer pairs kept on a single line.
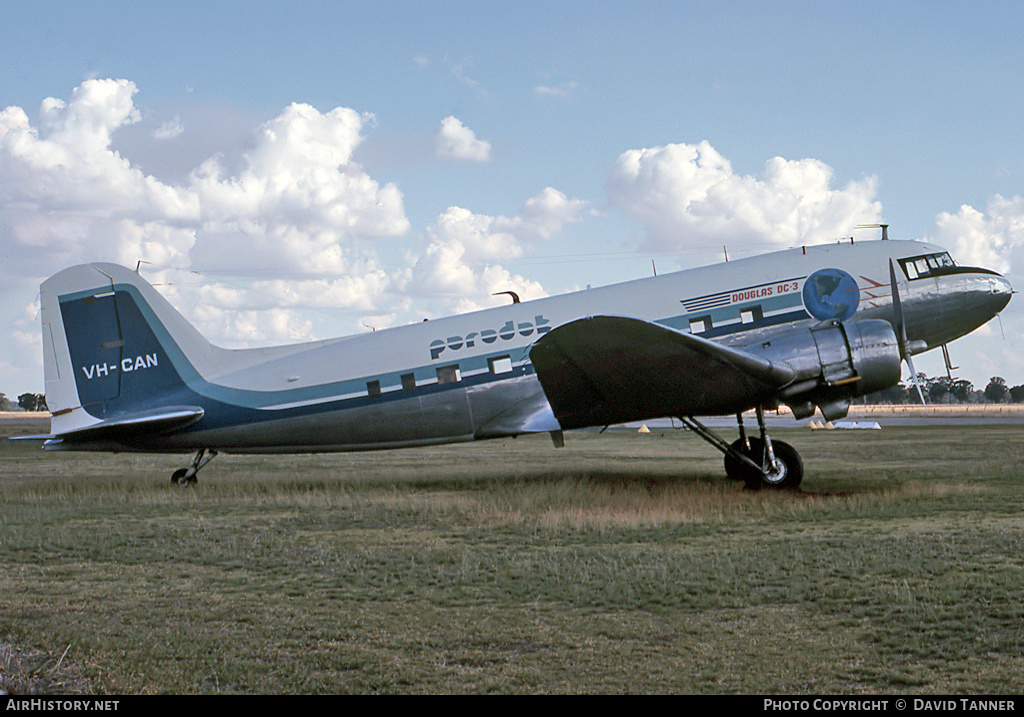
[[810, 328]]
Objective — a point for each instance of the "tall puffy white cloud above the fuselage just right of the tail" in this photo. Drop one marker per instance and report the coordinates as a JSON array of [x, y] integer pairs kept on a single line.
[[298, 202]]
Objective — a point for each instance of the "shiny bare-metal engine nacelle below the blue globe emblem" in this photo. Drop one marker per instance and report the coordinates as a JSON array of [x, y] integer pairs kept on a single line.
[[835, 362]]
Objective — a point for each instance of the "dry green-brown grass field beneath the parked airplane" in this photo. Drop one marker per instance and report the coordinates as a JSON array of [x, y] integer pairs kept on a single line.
[[620, 564]]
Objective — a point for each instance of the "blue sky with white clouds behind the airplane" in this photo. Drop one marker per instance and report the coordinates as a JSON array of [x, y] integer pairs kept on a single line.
[[304, 171]]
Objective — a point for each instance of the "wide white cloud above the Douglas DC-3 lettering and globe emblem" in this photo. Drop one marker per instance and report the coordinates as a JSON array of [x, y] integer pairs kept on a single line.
[[688, 196]]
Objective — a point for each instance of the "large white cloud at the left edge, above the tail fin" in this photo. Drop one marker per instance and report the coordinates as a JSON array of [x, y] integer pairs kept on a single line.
[[67, 196]]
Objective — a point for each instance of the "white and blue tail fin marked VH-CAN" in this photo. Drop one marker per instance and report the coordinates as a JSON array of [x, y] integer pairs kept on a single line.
[[113, 348]]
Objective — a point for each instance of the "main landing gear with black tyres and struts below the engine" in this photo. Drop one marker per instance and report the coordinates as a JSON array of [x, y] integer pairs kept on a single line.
[[758, 462]]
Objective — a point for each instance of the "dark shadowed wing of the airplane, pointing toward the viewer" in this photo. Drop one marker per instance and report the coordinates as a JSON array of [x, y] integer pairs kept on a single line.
[[606, 370]]
